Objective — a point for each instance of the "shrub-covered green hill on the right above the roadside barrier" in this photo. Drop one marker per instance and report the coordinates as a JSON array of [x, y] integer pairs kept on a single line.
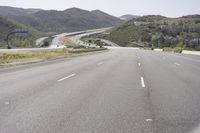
[[158, 32]]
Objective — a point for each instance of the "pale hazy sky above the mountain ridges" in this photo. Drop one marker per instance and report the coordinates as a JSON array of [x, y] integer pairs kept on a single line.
[[169, 8]]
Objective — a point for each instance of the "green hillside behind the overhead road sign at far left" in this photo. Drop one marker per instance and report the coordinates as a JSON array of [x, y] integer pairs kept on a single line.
[[7, 25]]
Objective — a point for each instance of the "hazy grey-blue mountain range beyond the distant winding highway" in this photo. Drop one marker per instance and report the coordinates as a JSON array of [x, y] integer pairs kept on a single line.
[[73, 19]]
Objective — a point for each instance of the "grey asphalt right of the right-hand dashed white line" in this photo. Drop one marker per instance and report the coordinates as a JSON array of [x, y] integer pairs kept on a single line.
[[174, 91]]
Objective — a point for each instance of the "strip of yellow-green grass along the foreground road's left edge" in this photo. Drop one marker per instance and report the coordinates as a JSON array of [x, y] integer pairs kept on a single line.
[[23, 57]]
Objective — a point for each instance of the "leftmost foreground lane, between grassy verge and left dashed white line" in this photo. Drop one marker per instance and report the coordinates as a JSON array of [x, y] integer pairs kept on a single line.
[[27, 81]]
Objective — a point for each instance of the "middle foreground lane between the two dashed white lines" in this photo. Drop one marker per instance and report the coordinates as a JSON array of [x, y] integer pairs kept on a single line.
[[88, 102]]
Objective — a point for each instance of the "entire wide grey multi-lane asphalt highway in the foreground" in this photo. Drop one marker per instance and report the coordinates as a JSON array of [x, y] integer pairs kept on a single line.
[[122, 90]]
